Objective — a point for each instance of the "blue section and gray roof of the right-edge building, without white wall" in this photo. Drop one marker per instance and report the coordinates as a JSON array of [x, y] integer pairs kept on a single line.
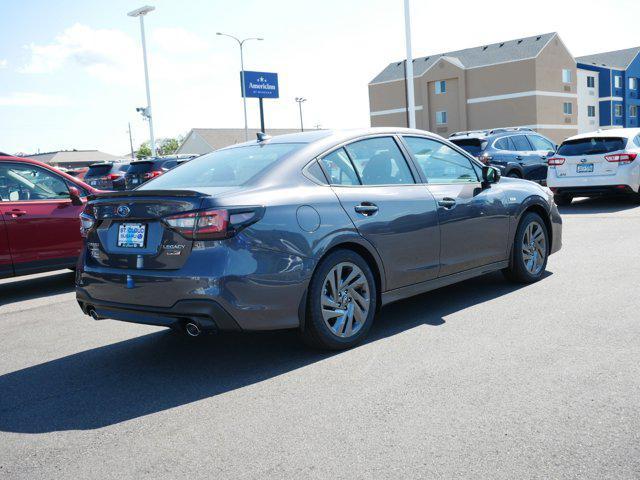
[[617, 97]]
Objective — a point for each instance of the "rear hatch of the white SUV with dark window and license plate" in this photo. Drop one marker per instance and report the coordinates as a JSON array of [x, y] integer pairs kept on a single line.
[[585, 157]]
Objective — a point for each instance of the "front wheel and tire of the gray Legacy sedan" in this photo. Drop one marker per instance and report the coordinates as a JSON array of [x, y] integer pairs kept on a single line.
[[526, 264]]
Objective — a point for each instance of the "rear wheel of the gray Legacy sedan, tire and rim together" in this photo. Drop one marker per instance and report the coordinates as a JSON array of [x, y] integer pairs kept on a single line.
[[341, 318]]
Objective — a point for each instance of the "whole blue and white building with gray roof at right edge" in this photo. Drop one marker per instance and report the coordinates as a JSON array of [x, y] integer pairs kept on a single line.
[[612, 78]]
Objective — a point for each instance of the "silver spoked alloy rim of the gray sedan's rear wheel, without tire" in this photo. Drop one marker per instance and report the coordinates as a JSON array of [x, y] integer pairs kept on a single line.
[[345, 299]]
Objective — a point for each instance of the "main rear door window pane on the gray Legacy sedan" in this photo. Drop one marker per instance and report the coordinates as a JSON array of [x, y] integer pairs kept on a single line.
[[379, 161]]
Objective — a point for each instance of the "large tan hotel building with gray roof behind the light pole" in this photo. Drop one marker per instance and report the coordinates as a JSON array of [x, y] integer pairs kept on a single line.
[[527, 82]]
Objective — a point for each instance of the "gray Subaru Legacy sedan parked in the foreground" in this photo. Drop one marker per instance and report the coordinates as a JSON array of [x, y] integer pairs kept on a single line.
[[313, 231]]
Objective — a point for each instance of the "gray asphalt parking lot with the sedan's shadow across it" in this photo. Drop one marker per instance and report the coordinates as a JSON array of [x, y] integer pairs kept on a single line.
[[479, 380]]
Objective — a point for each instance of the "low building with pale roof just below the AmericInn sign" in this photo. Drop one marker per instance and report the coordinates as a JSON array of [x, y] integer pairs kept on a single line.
[[204, 140]]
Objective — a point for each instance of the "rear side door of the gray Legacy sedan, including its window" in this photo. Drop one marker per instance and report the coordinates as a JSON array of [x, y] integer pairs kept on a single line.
[[377, 188]]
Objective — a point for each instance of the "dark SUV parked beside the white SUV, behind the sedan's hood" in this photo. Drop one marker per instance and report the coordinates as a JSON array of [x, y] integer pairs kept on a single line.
[[517, 152]]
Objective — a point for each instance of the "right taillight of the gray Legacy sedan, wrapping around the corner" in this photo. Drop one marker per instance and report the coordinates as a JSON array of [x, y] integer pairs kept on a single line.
[[213, 224]]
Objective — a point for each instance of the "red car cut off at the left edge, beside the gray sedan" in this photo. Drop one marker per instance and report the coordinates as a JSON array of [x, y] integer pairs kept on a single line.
[[39, 224]]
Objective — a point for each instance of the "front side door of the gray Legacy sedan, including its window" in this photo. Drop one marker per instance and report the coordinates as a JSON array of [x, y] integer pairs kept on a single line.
[[474, 222]]
